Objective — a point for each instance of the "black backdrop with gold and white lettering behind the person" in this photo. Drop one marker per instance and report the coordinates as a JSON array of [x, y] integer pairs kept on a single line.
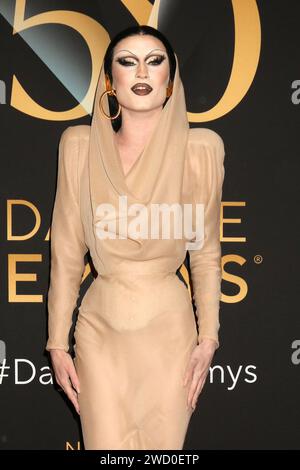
[[239, 63]]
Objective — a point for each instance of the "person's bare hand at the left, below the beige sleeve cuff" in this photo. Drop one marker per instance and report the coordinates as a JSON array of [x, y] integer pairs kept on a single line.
[[66, 375]]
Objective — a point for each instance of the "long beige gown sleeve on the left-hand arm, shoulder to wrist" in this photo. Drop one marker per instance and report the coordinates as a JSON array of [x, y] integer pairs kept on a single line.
[[67, 244]]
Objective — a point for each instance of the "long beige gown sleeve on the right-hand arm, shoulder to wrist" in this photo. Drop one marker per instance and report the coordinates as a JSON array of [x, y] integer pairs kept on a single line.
[[205, 263]]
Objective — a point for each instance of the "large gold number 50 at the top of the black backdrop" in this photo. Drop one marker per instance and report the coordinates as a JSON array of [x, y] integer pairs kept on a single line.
[[245, 60]]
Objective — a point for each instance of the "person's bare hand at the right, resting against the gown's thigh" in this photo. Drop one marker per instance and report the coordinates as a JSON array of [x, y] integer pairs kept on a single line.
[[198, 368]]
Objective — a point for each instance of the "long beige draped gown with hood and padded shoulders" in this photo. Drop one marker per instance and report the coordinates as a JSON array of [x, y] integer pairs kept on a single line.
[[136, 327]]
